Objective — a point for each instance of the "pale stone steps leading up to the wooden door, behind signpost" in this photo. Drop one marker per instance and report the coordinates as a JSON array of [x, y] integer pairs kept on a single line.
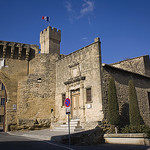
[[74, 126]]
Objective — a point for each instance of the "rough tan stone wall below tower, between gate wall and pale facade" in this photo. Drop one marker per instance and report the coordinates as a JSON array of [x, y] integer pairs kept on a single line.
[[36, 92]]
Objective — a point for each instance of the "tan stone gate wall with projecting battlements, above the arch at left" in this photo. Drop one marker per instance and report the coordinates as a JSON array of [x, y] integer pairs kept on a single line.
[[14, 66]]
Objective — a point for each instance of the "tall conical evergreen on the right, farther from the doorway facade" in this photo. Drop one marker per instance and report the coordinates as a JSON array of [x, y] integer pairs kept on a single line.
[[134, 113]]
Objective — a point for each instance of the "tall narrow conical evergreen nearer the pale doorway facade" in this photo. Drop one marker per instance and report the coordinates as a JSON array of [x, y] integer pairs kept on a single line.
[[113, 109]]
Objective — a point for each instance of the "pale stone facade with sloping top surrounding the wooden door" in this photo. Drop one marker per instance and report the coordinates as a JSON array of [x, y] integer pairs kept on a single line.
[[80, 70]]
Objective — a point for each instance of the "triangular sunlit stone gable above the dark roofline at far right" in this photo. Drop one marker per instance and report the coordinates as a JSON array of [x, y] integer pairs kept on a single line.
[[139, 65]]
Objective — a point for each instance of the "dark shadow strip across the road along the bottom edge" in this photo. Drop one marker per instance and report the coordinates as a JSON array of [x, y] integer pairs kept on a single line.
[[43, 145]]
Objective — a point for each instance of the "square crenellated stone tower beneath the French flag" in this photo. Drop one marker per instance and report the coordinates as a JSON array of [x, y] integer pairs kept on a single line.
[[50, 39]]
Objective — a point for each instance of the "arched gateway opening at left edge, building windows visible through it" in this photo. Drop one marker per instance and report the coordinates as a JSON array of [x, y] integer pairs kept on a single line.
[[3, 98]]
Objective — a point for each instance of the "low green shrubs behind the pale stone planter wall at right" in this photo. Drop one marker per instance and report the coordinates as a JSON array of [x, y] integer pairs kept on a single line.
[[137, 129]]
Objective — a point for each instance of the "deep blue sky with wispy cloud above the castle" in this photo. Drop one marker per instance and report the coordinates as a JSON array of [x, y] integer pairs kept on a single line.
[[122, 25]]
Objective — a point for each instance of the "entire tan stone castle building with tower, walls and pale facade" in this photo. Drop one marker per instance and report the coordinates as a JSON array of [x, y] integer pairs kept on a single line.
[[38, 83]]
